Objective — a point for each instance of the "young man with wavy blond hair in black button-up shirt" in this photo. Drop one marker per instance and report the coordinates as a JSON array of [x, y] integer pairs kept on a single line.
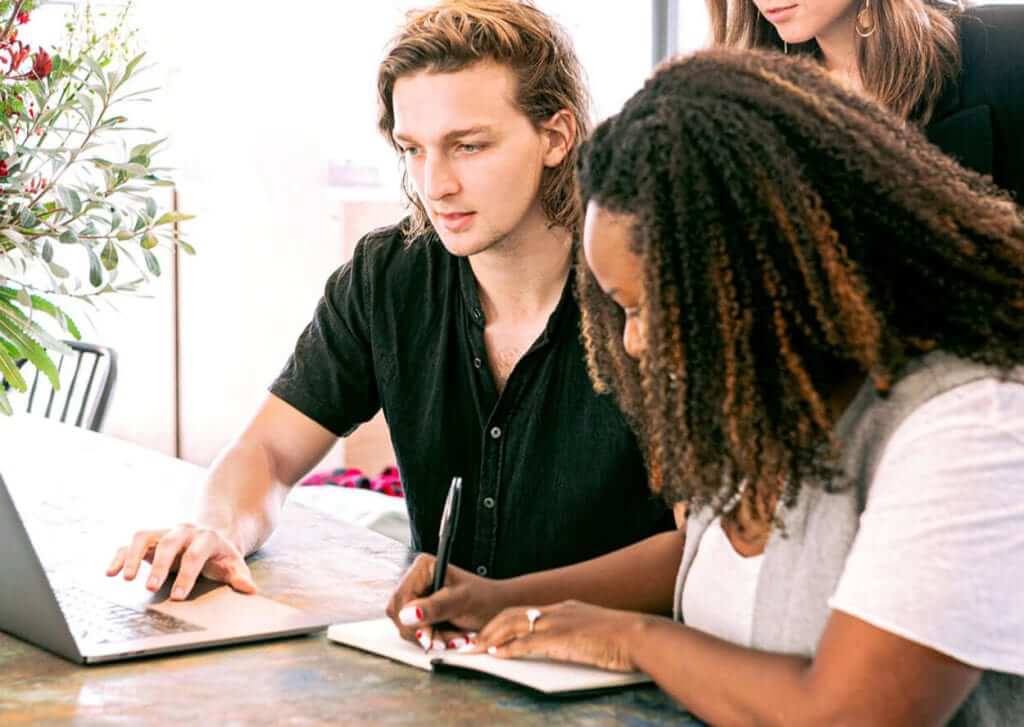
[[460, 323]]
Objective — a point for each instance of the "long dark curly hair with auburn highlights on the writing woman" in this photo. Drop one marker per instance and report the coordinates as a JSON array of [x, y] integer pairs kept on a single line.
[[792, 235]]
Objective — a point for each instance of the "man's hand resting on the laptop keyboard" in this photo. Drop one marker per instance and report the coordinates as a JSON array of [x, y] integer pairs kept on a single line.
[[188, 550]]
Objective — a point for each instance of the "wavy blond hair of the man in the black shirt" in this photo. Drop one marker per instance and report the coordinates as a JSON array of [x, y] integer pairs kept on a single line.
[[457, 34]]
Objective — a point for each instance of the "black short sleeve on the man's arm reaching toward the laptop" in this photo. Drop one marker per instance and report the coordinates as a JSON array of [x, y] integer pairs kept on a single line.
[[330, 376]]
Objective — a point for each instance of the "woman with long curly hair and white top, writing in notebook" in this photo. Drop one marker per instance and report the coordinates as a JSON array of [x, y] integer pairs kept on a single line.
[[816, 323]]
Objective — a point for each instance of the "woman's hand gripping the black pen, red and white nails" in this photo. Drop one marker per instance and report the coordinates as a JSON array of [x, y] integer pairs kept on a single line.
[[466, 602]]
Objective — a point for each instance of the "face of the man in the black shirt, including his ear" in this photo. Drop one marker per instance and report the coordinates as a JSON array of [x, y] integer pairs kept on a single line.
[[475, 159]]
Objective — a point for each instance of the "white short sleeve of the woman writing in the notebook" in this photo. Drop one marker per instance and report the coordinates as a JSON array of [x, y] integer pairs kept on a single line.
[[940, 555]]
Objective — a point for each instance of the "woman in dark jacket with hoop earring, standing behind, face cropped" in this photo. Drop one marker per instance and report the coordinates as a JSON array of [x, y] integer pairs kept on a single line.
[[957, 71]]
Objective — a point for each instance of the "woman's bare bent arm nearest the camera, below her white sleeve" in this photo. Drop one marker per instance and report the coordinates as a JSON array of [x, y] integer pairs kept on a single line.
[[861, 675]]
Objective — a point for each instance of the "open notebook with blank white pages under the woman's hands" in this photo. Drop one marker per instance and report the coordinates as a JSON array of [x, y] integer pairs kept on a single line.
[[381, 637]]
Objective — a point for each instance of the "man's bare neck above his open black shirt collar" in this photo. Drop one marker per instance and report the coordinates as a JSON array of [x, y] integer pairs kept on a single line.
[[525, 275]]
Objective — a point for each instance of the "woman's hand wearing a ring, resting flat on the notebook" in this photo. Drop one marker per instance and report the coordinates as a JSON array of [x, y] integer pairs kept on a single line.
[[567, 632]]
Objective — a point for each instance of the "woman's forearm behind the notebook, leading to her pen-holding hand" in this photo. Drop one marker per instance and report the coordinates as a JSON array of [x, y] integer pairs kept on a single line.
[[639, 578]]
